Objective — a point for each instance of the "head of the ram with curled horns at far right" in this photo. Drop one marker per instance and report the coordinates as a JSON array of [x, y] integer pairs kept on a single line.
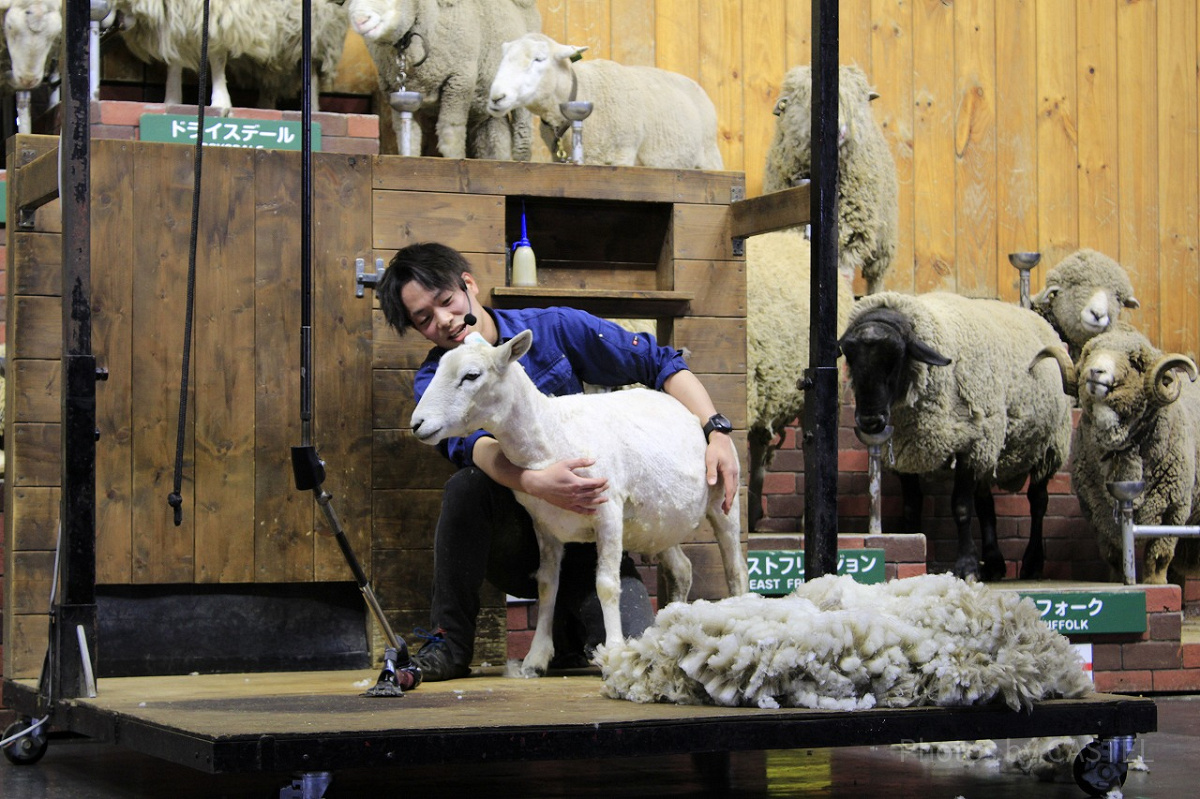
[[1123, 381]]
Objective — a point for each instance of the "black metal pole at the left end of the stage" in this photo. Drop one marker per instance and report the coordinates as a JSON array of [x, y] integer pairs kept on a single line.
[[77, 560]]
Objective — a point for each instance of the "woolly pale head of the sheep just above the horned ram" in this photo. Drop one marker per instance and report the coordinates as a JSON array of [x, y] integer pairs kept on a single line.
[[1084, 297]]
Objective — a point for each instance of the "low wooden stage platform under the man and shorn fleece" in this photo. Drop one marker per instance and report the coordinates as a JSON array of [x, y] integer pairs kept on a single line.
[[317, 722]]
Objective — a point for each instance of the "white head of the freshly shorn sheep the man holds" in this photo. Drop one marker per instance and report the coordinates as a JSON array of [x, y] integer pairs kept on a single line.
[[466, 392]]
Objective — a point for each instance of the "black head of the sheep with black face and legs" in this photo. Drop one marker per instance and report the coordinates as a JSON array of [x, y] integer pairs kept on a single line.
[[881, 351]]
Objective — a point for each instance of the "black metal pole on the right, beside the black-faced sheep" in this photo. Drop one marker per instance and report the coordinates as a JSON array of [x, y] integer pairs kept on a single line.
[[821, 407]]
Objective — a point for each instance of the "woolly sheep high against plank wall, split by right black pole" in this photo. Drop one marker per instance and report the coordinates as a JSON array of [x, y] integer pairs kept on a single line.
[[868, 191]]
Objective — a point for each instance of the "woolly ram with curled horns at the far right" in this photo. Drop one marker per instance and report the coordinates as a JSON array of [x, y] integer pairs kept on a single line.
[[1139, 422]]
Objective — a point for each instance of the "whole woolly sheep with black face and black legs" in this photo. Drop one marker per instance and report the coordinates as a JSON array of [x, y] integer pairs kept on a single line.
[[951, 375]]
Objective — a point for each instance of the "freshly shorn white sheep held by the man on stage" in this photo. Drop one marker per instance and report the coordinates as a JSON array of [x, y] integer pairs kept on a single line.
[[647, 446]]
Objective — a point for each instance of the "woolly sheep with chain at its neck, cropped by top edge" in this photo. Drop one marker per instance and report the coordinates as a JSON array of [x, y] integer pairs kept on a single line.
[[451, 50]]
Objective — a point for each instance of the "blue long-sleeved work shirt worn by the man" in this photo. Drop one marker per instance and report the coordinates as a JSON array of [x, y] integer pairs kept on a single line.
[[571, 349]]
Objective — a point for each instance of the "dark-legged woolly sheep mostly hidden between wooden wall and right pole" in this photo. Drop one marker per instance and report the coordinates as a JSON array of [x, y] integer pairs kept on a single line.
[[778, 281]]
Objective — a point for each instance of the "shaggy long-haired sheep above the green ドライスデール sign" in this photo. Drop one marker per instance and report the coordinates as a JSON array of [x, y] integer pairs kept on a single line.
[[265, 37]]
